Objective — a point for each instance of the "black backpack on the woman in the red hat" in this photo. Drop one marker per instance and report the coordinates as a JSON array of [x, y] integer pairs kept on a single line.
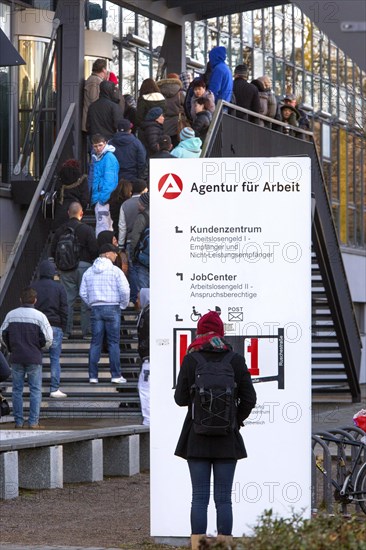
[[214, 396]]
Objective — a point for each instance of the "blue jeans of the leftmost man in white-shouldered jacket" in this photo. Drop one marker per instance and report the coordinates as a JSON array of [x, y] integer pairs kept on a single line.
[[34, 377]]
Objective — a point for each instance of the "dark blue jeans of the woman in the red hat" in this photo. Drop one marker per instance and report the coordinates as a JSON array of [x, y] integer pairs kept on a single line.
[[223, 473]]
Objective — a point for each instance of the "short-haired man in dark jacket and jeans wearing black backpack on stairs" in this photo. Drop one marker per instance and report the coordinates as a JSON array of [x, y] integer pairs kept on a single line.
[[72, 279]]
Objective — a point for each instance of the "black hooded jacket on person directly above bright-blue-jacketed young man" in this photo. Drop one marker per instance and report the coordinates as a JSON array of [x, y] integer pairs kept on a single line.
[[104, 114]]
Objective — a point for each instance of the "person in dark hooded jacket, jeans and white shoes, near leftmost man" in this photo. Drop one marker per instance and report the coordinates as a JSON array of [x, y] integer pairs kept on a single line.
[[52, 301]]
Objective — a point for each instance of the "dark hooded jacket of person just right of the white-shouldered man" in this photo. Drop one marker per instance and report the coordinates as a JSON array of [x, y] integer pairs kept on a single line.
[[51, 296]]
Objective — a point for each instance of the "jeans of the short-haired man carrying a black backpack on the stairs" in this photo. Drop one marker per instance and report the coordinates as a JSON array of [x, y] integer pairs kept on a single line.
[[72, 281]]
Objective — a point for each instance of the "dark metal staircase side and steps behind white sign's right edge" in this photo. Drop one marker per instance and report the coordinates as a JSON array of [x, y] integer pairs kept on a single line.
[[336, 342]]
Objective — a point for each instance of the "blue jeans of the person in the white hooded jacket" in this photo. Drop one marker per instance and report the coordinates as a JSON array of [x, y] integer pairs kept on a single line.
[[105, 320]]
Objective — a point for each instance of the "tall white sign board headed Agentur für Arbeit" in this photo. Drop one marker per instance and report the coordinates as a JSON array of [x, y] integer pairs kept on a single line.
[[234, 235]]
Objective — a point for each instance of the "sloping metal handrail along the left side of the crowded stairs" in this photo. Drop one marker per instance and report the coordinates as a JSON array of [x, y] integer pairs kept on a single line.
[[19, 247]]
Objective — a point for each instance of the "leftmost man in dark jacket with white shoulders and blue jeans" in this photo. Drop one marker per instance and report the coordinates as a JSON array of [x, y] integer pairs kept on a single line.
[[25, 332]]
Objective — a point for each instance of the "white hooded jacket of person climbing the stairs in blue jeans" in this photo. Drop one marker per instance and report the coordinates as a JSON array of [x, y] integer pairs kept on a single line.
[[104, 284]]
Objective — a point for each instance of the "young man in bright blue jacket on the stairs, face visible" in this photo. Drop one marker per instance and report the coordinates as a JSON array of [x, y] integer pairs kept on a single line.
[[103, 180]]
